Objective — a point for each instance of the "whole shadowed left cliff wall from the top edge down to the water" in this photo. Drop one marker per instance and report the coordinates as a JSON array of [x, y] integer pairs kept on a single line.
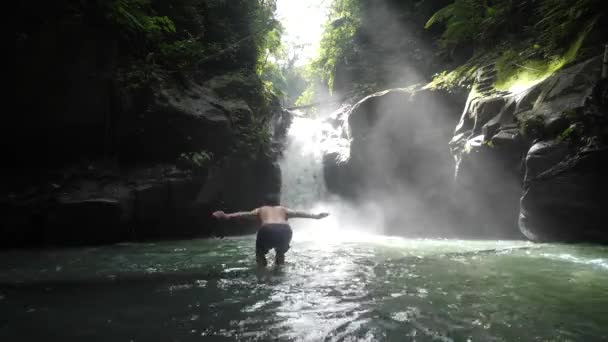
[[92, 160]]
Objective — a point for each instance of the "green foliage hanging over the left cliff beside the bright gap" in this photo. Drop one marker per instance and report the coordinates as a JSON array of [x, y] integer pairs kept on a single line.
[[166, 48]]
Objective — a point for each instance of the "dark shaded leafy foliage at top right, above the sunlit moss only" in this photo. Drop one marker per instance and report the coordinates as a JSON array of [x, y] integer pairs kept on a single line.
[[550, 26]]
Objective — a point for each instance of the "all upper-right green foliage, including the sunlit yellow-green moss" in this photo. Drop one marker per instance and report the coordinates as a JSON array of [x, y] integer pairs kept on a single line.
[[527, 40]]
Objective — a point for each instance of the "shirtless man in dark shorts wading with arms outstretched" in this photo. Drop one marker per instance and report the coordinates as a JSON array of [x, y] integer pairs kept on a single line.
[[274, 230]]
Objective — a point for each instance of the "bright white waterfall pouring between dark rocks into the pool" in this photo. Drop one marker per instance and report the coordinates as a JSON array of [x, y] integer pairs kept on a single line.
[[303, 184]]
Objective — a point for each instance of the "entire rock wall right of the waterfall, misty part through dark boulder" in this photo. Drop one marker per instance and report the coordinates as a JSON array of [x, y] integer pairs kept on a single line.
[[520, 164]]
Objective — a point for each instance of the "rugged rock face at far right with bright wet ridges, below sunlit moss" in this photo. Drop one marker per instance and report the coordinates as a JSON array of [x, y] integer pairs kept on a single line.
[[545, 145]]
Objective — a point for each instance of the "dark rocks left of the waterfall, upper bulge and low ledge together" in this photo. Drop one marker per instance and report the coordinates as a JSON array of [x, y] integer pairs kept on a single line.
[[151, 193]]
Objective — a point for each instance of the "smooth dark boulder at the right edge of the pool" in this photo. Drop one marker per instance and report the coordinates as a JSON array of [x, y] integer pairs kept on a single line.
[[564, 196]]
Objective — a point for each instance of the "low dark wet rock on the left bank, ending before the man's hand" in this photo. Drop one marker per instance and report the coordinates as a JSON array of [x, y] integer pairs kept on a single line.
[[87, 209]]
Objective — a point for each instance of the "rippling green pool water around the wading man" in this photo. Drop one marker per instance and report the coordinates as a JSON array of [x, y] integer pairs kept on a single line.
[[350, 287]]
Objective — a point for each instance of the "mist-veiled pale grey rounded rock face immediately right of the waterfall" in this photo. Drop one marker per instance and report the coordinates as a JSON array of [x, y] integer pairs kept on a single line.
[[398, 158]]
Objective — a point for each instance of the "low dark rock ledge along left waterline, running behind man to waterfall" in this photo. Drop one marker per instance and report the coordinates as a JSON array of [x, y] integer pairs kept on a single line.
[[100, 205]]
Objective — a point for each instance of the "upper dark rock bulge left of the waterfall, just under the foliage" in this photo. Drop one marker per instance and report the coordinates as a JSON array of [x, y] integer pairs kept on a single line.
[[182, 119]]
